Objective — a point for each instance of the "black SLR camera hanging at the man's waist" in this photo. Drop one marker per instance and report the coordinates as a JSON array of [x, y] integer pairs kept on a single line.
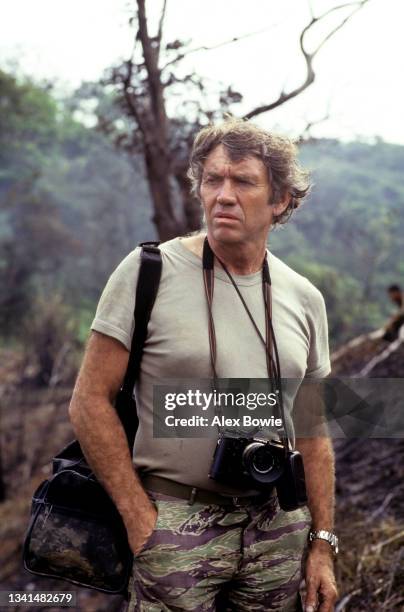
[[253, 463]]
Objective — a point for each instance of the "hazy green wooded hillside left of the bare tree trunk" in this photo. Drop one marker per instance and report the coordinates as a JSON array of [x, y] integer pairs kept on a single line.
[[70, 206]]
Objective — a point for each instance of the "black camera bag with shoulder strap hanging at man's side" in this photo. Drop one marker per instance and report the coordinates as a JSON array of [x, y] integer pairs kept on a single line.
[[75, 531]]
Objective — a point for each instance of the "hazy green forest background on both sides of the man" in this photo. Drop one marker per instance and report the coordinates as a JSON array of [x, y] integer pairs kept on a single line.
[[71, 207]]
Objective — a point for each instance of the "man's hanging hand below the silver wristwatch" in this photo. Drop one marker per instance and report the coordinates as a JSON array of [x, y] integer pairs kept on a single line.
[[320, 580]]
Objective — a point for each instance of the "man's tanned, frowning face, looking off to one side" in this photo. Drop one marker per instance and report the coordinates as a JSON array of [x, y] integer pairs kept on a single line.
[[235, 196]]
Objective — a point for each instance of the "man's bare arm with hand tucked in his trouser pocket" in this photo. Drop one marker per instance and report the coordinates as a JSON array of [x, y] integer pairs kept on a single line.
[[103, 438]]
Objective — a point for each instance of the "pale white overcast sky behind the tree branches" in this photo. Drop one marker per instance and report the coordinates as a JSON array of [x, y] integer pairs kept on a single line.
[[358, 84]]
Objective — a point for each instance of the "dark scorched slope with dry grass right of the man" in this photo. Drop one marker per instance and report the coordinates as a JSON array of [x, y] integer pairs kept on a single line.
[[370, 492]]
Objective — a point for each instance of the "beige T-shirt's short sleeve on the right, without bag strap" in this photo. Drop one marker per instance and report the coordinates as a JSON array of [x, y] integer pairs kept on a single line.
[[318, 361]]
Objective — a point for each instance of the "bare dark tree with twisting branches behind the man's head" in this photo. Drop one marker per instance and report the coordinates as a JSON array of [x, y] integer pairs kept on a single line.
[[142, 84]]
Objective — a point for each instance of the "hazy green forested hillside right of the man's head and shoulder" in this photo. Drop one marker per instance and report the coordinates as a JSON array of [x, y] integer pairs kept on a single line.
[[352, 227]]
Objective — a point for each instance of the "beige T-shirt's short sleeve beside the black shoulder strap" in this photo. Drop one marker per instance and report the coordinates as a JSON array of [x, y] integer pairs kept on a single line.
[[115, 311]]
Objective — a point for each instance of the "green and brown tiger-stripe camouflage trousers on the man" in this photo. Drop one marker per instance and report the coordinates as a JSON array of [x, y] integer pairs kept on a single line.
[[196, 555]]
